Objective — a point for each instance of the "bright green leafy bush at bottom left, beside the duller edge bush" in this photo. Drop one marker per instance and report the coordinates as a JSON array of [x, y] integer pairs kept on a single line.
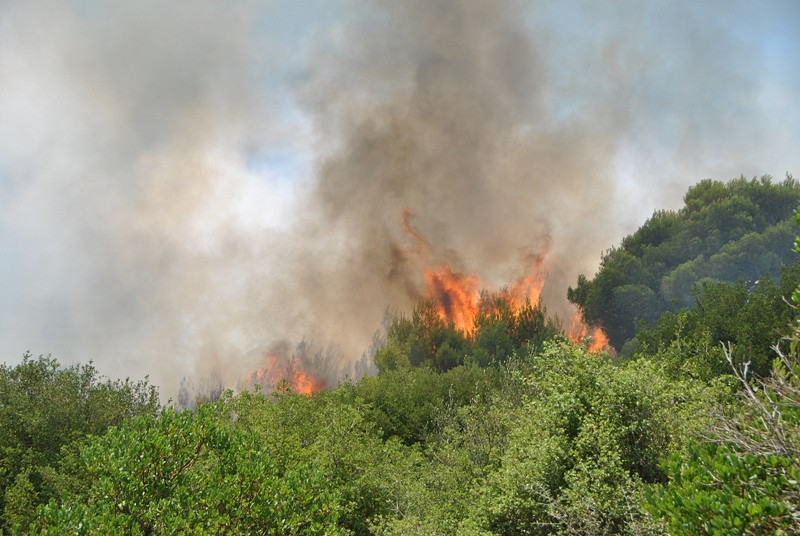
[[185, 472]]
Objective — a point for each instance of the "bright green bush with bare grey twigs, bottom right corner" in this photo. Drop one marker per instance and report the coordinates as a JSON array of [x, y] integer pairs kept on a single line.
[[748, 481]]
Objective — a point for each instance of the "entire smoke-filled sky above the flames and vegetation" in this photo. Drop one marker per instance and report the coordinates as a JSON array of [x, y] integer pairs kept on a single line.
[[187, 187]]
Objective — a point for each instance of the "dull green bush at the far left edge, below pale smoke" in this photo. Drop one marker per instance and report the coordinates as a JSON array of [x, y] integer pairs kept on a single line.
[[45, 410]]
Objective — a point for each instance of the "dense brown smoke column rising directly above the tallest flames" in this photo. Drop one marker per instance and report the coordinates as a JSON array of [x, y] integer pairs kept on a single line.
[[463, 137]]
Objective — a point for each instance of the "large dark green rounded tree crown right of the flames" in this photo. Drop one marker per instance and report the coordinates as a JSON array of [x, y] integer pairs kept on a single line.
[[724, 233]]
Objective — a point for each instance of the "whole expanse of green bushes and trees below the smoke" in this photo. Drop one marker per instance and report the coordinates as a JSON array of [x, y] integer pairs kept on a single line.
[[509, 428]]
